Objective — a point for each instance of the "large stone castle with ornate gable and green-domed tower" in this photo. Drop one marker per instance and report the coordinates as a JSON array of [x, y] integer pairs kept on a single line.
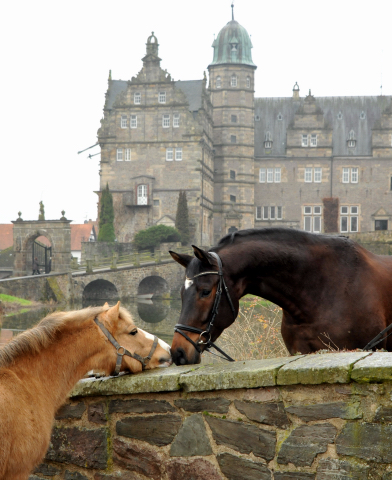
[[321, 164]]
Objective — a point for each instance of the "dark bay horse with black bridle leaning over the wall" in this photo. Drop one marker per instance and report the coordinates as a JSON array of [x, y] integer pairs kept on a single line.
[[330, 290]]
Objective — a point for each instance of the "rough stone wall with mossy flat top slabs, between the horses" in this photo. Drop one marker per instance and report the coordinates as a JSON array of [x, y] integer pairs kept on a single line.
[[317, 417]]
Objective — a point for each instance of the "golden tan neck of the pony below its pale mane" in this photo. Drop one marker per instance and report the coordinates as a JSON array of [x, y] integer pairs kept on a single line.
[[57, 368]]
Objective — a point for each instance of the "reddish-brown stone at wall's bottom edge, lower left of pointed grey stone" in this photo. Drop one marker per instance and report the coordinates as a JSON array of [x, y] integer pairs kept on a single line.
[[132, 457]]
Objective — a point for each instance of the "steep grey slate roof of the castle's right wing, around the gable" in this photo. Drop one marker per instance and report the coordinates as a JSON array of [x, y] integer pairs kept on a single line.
[[342, 114]]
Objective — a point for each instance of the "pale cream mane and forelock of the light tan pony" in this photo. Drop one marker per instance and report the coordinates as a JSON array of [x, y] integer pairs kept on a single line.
[[35, 339]]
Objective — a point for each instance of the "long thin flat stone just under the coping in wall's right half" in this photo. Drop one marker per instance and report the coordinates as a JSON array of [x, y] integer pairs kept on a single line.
[[322, 411]]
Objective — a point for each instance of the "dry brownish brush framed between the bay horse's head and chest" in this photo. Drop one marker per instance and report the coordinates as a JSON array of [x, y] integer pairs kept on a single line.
[[256, 332]]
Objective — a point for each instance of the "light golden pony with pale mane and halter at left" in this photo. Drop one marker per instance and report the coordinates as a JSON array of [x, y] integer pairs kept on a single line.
[[40, 366]]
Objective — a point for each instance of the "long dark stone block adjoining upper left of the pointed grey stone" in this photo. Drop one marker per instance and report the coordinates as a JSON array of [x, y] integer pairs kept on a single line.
[[156, 429]]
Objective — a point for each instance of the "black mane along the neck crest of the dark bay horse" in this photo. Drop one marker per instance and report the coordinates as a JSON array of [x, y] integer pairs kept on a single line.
[[277, 234]]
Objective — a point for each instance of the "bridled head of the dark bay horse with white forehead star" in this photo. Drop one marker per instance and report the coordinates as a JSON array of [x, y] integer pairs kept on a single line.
[[205, 312]]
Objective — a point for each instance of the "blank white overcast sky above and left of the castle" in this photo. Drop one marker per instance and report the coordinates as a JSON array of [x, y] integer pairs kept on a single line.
[[56, 58]]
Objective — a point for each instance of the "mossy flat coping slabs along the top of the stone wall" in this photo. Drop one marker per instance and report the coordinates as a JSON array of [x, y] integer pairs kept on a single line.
[[343, 367]]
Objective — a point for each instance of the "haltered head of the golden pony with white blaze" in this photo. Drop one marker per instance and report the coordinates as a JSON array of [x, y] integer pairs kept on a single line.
[[141, 350]]
